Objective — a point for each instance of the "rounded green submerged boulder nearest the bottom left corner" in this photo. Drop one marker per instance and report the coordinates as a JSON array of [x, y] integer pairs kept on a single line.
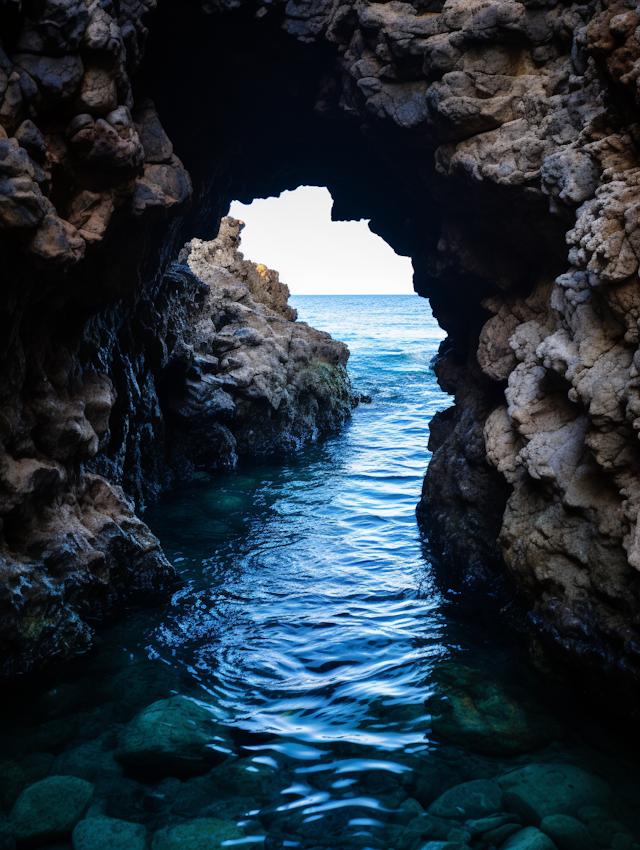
[[49, 810]]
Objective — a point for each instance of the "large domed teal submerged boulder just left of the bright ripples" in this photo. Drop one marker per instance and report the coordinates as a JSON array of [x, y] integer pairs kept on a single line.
[[175, 734]]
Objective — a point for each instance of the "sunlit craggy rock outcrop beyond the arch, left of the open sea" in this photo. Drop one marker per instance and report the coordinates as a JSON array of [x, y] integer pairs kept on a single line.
[[254, 381]]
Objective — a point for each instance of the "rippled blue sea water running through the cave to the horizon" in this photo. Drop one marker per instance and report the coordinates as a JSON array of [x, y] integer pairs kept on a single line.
[[309, 624]]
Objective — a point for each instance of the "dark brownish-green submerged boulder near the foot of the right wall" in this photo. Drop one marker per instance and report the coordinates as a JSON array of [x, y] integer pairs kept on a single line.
[[478, 713]]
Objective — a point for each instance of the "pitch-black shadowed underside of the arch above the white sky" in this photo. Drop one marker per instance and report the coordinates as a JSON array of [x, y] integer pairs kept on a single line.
[[253, 112]]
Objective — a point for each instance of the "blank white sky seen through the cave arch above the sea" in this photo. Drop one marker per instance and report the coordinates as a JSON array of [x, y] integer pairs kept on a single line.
[[294, 234]]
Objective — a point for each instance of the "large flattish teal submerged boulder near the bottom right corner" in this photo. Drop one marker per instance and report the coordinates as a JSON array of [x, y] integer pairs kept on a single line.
[[541, 790]]
